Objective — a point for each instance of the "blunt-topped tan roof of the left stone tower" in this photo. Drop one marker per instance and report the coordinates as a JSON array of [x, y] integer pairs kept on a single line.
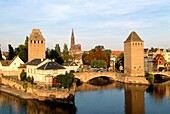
[[36, 35]]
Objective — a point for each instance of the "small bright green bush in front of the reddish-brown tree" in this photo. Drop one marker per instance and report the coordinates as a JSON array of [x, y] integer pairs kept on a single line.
[[98, 63]]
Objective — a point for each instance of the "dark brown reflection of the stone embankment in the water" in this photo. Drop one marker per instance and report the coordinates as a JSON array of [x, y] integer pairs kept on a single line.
[[14, 105]]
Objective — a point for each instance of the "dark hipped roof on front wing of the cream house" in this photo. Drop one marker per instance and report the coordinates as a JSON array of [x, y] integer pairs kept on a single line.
[[50, 66]]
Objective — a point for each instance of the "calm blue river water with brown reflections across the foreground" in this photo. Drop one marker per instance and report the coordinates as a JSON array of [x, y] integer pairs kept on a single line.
[[115, 98]]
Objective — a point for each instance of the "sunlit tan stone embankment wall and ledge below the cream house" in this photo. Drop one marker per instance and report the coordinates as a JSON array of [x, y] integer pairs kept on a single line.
[[15, 88]]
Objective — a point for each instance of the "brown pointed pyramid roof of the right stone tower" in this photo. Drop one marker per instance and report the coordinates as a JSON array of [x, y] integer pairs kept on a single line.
[[133, 37]]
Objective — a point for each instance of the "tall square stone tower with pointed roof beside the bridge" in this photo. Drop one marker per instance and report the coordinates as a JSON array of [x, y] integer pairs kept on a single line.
[[134, 55]]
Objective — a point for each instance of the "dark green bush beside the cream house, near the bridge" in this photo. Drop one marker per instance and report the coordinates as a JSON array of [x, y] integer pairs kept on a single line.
[[65, 81]]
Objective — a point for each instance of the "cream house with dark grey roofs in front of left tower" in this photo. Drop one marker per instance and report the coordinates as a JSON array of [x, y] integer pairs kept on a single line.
[[42, 70]]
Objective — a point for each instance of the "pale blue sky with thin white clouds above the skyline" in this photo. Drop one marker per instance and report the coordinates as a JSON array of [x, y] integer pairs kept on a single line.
[[95, 22]]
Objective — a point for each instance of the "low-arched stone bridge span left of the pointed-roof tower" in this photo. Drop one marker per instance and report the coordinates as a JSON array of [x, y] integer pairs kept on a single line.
[[86, 76]]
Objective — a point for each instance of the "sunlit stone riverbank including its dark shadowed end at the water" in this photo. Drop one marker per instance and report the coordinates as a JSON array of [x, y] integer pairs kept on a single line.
[[15, 88]]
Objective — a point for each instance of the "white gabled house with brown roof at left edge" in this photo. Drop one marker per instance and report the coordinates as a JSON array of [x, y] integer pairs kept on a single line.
[[11, 67]]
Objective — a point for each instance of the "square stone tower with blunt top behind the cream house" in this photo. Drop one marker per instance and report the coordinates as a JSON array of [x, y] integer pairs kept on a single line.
[[36, 45]]
